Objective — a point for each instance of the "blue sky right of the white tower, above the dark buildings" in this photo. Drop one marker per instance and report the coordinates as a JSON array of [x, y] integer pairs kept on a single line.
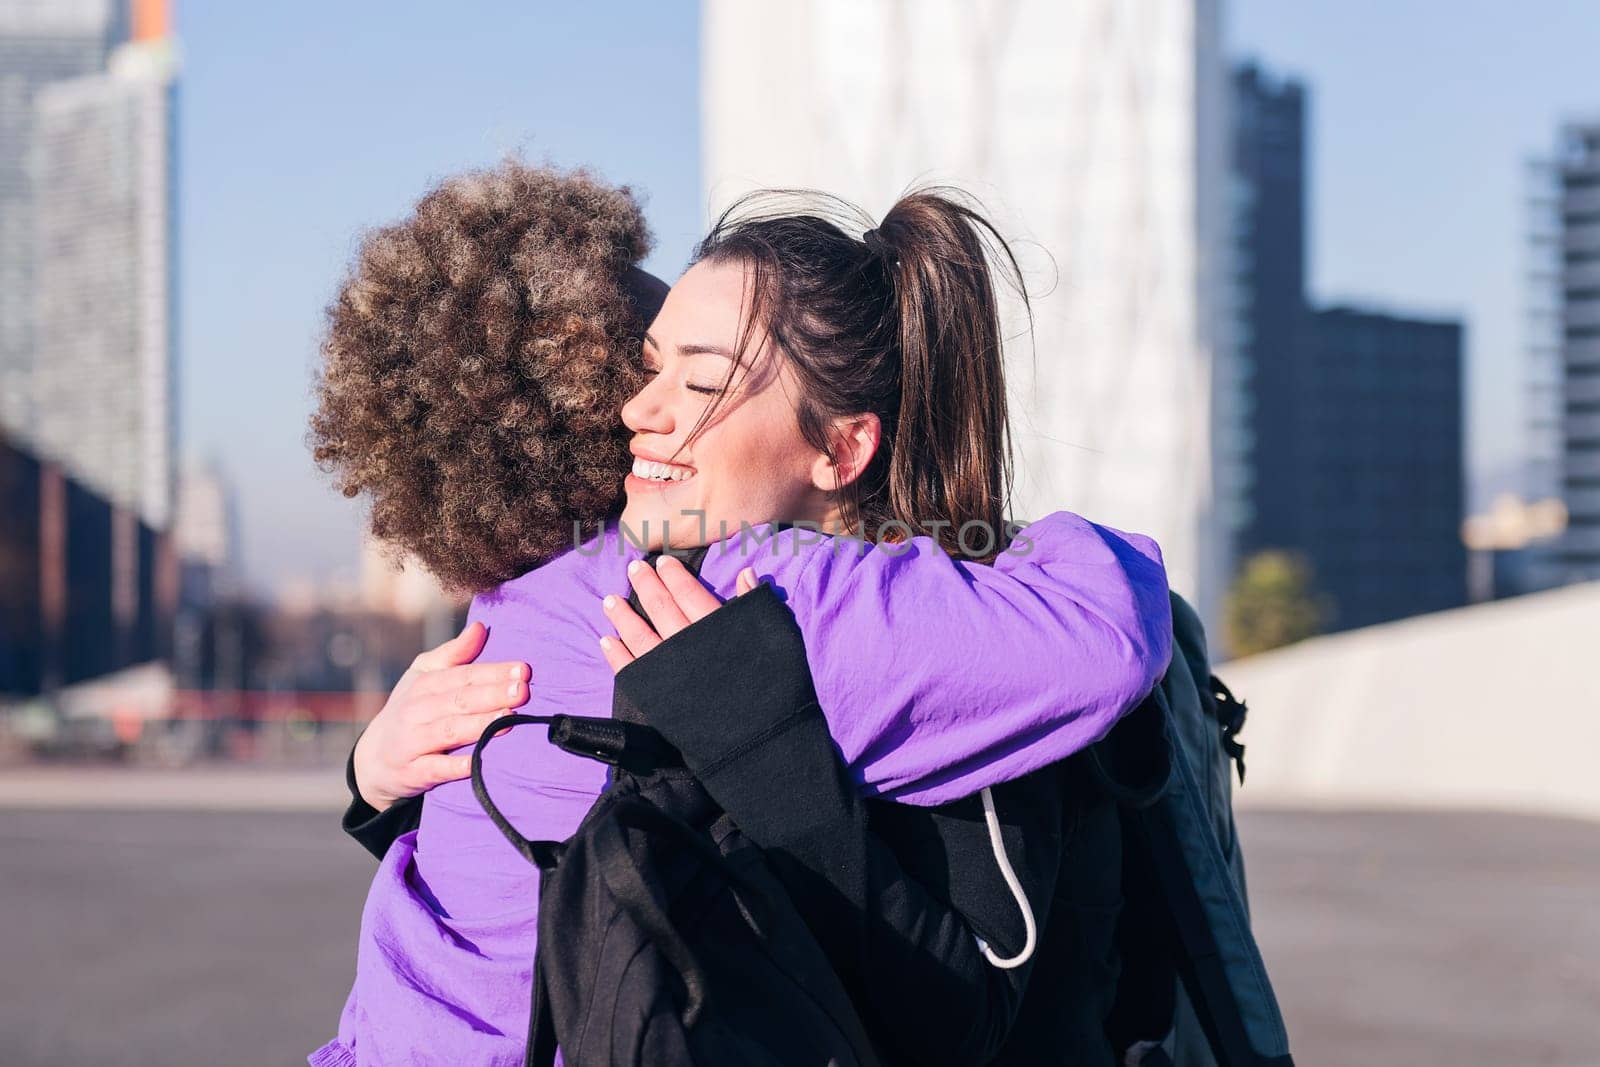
[[1423, 116]]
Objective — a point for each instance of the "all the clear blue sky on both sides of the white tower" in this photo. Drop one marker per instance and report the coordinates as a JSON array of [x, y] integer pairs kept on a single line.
[[302, 124]]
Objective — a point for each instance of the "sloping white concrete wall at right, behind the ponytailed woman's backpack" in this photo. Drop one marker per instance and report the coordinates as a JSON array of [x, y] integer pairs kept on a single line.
[[1494, 706]]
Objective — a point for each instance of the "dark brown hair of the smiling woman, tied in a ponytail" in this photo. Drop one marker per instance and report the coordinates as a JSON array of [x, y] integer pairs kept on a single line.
[[903, 324]]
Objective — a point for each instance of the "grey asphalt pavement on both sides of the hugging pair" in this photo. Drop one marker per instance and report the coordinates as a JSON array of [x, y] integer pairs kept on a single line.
[[137, 938]]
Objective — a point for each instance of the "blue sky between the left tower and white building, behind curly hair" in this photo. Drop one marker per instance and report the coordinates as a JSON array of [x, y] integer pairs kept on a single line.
[[305, 122]]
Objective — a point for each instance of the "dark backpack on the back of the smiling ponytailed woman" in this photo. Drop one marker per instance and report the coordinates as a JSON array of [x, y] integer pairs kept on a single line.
[[1194, 989]]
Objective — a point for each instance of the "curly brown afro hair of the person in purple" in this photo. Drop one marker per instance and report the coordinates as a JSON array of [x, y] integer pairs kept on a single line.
[[474, 369]]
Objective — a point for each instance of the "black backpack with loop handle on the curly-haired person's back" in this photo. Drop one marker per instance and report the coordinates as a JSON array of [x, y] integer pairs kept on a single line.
[[665, 938]]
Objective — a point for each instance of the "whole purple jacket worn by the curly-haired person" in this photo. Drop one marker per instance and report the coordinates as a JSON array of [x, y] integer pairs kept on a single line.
[[938, 677]]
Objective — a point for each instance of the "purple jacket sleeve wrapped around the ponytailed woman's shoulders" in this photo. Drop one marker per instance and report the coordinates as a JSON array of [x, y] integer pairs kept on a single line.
[[940, 676]]
